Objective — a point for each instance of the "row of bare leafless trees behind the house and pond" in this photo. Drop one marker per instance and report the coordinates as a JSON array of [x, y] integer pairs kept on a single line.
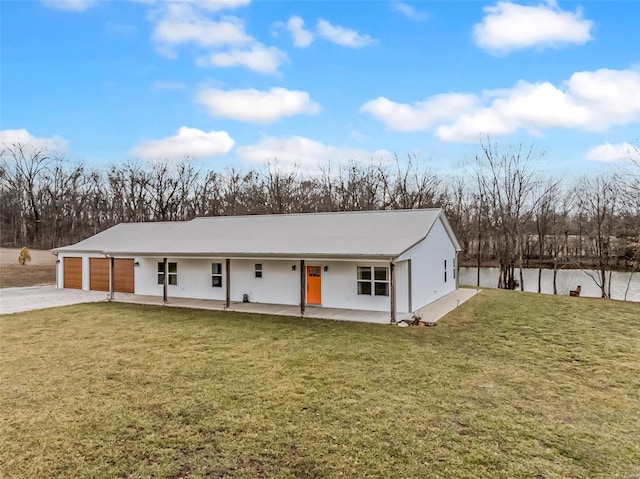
[[505, 211]]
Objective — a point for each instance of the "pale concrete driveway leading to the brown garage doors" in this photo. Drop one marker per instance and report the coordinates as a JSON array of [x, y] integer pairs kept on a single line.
[[16, 300]]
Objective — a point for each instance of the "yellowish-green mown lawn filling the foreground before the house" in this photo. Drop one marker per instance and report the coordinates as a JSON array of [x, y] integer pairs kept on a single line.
[[510, 385]]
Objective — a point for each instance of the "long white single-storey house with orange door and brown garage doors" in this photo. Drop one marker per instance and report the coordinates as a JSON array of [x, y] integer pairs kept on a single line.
[[393, 261]]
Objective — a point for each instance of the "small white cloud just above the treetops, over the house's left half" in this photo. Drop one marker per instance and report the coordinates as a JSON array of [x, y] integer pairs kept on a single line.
[[188, 142]]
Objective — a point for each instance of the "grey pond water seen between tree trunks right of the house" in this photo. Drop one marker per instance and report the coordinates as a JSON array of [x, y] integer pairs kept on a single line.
[[567, 280]]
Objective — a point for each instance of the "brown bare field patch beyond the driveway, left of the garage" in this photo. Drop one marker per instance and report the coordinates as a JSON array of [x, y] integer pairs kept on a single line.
[[40, 270]]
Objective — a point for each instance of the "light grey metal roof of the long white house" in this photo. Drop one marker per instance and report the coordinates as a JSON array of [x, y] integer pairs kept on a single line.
[[386, 233]]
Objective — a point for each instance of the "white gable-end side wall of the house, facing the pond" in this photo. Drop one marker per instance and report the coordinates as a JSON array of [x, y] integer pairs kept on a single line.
[[427, 267]]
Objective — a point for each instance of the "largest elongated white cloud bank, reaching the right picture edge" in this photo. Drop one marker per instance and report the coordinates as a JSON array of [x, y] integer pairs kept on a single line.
[[592, 101]]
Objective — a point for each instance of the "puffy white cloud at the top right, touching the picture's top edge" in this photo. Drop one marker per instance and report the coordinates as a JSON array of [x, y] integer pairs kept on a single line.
[[508, 26]]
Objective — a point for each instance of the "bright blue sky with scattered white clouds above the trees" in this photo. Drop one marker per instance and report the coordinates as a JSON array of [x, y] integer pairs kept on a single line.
[[242, 83]]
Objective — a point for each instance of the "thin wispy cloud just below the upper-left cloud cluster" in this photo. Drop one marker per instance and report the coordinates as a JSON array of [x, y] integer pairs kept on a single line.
[[256, 57]]
